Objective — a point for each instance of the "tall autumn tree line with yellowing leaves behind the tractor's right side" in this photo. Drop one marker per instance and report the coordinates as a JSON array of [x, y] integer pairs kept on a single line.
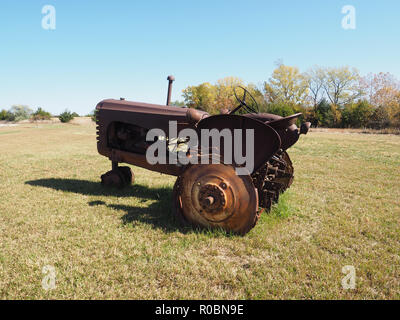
[[328, 97]]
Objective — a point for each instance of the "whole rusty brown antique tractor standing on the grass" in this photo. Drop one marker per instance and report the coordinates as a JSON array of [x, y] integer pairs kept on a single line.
[[205, 195]]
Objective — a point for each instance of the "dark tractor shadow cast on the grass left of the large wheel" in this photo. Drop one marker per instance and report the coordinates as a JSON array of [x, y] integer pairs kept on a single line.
[[158, 214]]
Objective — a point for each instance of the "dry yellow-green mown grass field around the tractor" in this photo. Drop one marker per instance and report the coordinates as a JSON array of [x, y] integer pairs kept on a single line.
[[343, 209]]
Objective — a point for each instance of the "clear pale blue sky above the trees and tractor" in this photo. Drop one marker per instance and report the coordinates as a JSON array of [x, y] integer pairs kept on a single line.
[[112, 49]]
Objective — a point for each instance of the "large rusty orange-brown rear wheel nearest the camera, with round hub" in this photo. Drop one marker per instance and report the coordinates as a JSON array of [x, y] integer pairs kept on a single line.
[[214, 196]]
